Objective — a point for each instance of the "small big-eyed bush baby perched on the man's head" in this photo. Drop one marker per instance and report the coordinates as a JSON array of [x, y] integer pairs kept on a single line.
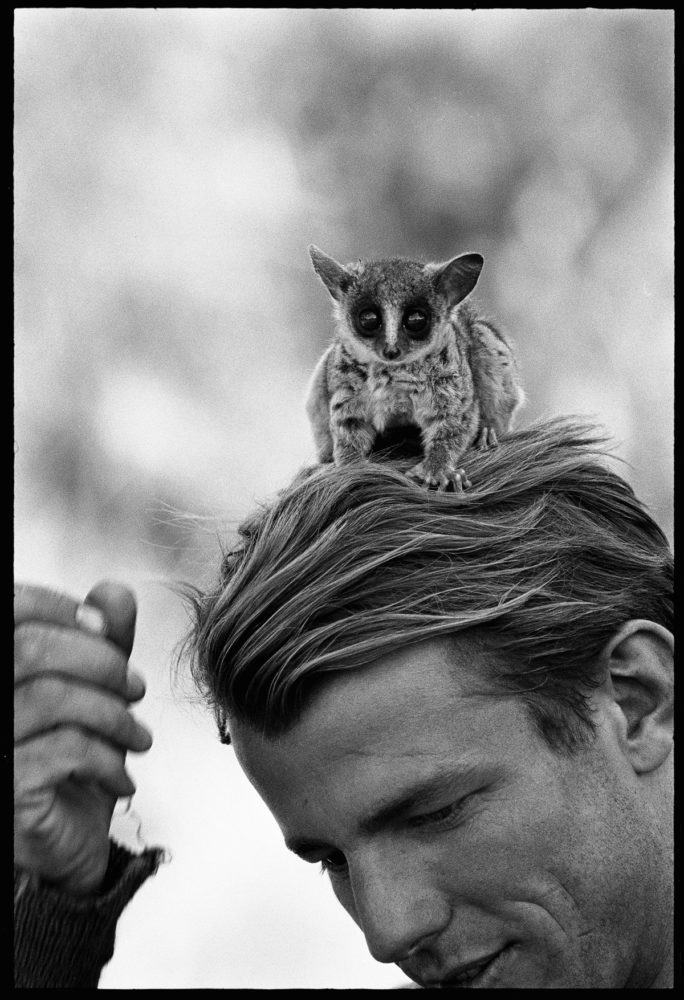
[[411, 350]]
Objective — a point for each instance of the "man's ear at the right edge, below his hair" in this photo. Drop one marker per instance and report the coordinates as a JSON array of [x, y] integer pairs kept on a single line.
[[640, 661]]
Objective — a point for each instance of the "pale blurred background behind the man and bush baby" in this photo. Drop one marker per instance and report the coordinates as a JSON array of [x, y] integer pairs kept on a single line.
[[171, 167]]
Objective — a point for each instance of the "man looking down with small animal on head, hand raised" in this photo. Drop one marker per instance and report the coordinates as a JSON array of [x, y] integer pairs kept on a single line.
[[460, 704]]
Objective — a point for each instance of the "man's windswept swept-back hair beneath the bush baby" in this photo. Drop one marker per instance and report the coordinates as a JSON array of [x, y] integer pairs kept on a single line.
[[538, 564]]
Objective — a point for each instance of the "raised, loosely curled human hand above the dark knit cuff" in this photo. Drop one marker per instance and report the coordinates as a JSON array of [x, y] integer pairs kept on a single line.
[[72, 729]]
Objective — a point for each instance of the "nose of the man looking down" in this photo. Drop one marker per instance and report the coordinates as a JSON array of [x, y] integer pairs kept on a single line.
[[397, 912]]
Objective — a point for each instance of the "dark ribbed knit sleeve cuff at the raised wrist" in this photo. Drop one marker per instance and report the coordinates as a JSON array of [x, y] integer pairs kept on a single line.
[[63, 941]]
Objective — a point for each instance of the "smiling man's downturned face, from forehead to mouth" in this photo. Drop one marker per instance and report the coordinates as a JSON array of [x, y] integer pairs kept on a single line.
[[467, 851]]
